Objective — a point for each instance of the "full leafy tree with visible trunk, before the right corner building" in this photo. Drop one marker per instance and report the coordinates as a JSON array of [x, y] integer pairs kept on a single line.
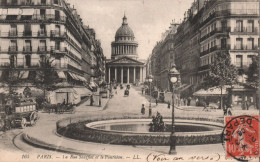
[[222, 72]]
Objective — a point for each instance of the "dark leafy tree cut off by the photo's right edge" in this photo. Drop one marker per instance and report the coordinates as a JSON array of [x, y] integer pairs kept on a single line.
[[253, 73]]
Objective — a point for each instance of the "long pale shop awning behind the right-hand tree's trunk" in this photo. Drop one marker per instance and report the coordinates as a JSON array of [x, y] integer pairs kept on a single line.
[[214, 91]]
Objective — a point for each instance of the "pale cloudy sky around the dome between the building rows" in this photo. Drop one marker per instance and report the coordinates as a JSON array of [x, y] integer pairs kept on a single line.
[[147, 18]]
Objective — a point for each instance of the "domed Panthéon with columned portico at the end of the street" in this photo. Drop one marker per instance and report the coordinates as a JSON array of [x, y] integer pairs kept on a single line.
[[124, 66]]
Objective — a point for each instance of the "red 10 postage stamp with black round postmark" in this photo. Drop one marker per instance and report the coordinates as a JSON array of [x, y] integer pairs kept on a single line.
[[241, 137]]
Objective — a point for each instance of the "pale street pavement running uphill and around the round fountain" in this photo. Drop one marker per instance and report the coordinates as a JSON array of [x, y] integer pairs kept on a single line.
[[119, 105]]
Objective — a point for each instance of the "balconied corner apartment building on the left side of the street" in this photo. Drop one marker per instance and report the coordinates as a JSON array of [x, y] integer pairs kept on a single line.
[[31, 30]]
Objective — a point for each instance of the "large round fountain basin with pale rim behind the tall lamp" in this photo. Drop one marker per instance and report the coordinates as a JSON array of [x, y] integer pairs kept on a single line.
[[136, 132]]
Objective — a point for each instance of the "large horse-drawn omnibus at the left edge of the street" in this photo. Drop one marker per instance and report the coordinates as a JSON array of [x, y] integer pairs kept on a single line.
[[18, 112]]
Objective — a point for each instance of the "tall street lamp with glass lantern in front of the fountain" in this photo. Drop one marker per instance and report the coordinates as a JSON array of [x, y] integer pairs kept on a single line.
[[173, 76]]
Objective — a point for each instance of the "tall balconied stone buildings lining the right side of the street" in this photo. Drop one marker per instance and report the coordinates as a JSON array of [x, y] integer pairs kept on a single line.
[[210, 27]]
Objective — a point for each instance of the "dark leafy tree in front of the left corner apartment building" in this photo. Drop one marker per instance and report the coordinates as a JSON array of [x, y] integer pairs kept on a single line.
[[46, 76]]
